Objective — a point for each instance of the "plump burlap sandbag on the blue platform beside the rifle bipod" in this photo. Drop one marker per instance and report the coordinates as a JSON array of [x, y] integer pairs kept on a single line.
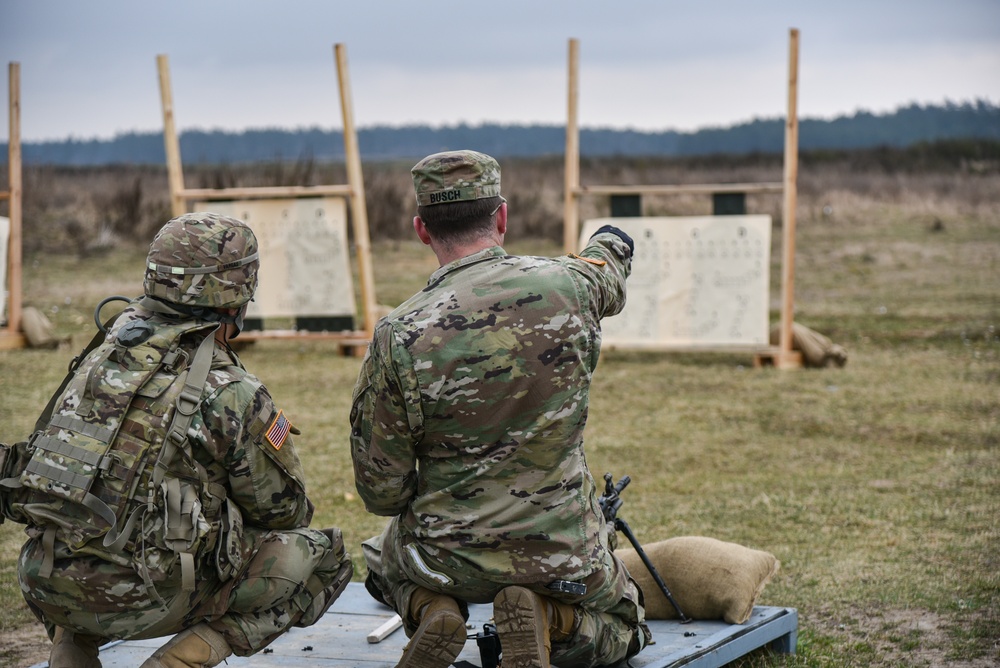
[[709, 578]]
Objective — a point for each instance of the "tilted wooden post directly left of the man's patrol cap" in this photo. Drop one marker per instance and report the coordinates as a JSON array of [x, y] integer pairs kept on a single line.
[[355, 178]]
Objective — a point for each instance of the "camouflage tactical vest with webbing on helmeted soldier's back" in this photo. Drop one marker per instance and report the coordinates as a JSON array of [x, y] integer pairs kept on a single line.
[[106, 422]]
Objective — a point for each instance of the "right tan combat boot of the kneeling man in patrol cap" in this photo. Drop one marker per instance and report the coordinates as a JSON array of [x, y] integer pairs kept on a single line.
[[526, 623]]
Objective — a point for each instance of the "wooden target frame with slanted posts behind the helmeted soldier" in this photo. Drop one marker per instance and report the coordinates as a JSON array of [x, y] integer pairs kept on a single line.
[[353, 191]]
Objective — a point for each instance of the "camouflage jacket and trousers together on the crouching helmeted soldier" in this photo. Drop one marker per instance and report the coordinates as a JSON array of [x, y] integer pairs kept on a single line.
[[259, 570]]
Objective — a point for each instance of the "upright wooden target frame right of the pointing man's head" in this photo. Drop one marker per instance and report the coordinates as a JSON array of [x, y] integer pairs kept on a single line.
[[781, 356]]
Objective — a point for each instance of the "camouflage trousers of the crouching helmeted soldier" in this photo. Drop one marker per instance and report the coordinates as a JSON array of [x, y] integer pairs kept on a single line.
[[291, 579]]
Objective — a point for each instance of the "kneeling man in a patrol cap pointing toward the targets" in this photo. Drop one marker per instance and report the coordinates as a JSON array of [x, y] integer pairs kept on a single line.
[[467, 430]]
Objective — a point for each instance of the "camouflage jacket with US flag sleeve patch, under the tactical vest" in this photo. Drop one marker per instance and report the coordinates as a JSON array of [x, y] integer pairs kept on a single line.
[[228, 442]]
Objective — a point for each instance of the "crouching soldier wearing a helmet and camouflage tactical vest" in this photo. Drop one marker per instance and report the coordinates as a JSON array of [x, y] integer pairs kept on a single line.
[[208, 540]]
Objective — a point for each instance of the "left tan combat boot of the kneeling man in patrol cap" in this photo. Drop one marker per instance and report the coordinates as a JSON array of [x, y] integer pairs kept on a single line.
[[441, 635]]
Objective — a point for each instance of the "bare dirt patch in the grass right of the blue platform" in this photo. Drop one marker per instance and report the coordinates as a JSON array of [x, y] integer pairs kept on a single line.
[[910, 637]]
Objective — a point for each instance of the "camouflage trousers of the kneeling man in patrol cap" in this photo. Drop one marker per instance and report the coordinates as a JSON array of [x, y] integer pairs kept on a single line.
[[609, 623]]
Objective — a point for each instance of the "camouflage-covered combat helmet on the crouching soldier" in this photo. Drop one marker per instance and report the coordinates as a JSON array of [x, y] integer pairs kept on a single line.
[[203, 259]]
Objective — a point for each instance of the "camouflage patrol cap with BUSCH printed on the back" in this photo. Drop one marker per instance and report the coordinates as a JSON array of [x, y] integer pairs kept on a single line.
[[455, 176]]
